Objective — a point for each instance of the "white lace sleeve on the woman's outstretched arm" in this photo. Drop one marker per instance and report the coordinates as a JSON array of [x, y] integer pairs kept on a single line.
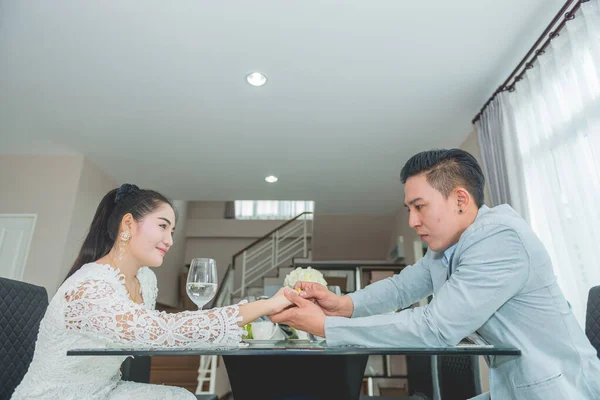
[[95, 306]]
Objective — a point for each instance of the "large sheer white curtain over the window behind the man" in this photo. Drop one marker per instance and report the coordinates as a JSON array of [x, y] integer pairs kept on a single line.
[[553, 122]]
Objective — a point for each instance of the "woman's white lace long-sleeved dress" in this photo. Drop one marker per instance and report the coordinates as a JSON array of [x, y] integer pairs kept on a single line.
[[92, 309]]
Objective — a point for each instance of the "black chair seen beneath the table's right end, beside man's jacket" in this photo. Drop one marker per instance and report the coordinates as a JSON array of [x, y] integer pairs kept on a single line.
[[458, 377]]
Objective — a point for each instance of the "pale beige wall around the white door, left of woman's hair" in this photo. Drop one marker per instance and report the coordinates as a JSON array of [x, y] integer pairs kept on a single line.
[[64, 192]]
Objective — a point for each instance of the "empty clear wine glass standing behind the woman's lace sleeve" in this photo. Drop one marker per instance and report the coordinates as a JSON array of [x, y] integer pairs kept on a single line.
[[201, 285]]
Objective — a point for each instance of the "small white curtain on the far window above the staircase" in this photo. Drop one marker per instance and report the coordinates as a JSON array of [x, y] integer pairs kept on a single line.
[[271, 209]]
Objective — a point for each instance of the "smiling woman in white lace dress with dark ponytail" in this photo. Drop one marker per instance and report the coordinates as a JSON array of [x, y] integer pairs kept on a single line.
[[109, 297]]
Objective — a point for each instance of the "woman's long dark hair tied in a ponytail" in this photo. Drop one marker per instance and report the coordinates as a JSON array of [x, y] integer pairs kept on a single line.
[[105, 226]]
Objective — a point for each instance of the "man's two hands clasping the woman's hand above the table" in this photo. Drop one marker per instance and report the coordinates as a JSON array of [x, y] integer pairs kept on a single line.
[[310, 306]]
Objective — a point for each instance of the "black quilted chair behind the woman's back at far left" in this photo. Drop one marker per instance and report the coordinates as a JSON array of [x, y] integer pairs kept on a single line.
[[22, 307]]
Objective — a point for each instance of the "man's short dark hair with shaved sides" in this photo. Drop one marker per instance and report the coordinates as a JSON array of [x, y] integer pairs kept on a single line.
[[445, 170]]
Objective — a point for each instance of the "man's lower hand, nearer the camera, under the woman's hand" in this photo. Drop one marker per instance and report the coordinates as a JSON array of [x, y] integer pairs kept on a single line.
[[306, 316]]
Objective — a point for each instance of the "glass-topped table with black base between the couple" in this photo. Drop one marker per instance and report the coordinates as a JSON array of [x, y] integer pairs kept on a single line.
[[298, 369]]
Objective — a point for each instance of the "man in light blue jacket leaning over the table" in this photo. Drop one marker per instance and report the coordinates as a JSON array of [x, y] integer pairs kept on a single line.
[[490, 274]]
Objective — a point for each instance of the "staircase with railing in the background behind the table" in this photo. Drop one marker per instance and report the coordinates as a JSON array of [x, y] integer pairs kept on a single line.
[[256, 270]]
